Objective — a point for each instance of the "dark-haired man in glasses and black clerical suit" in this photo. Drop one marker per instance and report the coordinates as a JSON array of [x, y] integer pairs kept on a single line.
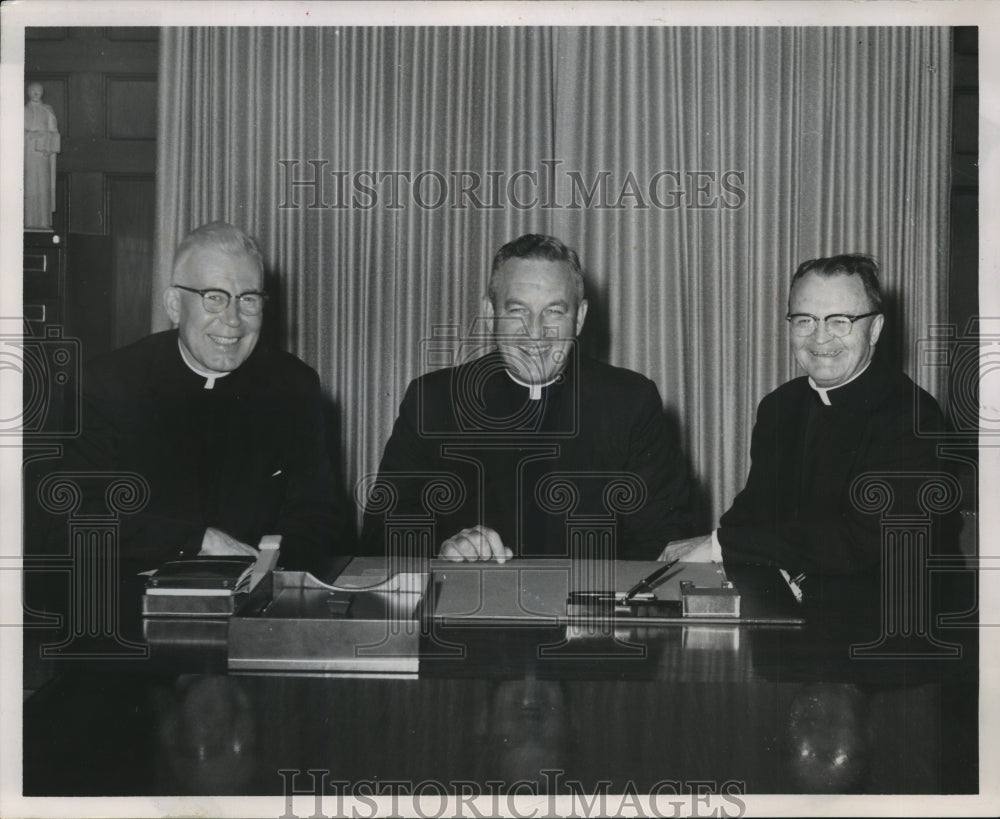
[[852, 413]]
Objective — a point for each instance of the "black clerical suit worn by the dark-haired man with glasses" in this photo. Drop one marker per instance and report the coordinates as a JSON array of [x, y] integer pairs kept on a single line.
[[795, 510]]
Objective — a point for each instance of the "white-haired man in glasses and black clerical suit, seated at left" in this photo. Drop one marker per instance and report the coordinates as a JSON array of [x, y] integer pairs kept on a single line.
[[228, 432]]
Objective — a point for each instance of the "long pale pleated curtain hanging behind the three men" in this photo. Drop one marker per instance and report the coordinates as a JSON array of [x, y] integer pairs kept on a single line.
[[692, 168]]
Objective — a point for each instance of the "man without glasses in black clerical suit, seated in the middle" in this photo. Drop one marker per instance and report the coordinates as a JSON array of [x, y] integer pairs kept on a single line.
[[534, 434]]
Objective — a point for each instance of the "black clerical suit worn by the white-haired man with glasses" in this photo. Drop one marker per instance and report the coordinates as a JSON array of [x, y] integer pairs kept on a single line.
[[247, 456]]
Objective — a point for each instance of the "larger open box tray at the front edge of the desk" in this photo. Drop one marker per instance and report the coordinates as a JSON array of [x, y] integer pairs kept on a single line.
[[306, 625]]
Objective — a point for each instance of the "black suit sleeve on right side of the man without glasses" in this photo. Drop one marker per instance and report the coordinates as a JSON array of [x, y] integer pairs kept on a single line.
[[654, 455]]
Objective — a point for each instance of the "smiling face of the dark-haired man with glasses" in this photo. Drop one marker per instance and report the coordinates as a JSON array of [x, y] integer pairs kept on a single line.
[[831, 361]]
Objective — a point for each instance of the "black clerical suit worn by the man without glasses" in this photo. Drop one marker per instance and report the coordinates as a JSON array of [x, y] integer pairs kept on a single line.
[[592, 452]]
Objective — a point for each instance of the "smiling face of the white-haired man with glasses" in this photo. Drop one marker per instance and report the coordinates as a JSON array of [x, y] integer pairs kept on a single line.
[[218, 342]]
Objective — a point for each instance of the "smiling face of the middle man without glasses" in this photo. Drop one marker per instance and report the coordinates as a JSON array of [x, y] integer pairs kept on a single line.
[[536, 317]]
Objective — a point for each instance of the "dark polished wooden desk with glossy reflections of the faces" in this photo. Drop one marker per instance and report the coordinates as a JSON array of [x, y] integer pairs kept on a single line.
[[766, 710]]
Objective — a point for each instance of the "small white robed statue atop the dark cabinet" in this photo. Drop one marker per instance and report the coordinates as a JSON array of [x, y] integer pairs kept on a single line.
[[41, 144]]
